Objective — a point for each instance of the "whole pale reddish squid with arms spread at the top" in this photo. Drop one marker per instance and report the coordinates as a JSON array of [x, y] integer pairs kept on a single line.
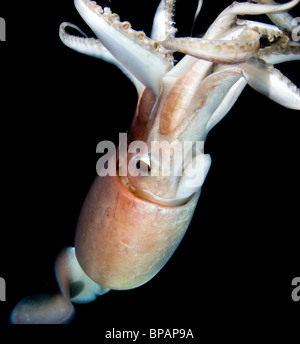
[[133, 220]]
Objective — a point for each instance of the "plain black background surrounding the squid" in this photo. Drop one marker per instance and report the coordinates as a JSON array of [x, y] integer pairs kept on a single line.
[[231, 275]]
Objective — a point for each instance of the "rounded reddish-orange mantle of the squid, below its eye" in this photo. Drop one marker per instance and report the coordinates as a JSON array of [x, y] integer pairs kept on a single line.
[[122, 241]]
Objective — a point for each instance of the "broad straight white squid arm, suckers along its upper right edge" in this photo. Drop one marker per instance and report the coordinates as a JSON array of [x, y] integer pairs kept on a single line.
[[143, 57]]
